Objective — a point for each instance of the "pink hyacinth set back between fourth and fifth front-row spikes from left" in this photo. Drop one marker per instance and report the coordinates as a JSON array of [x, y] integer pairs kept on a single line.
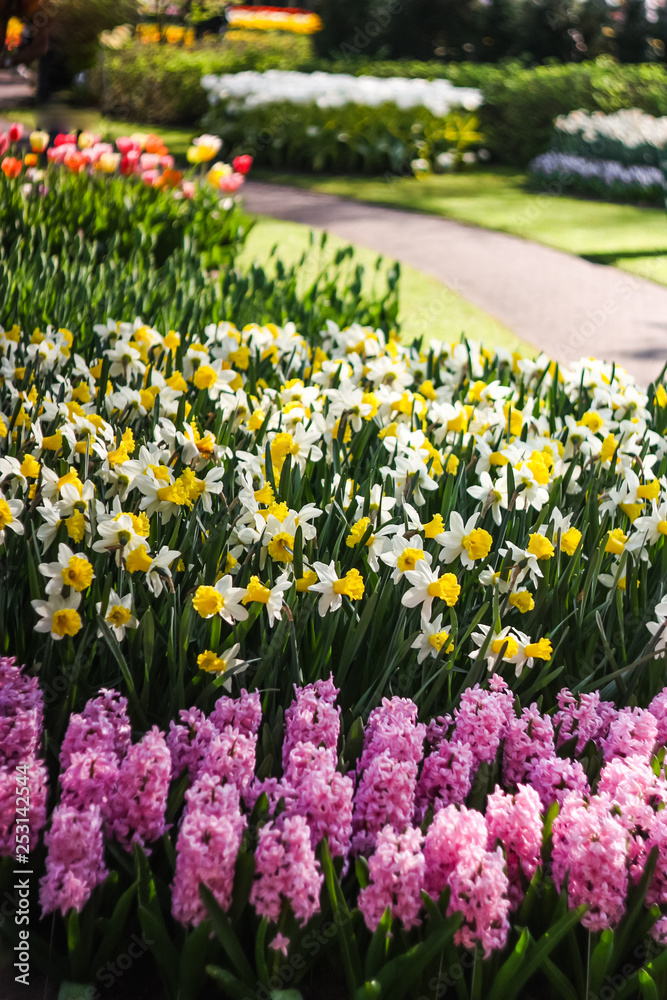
[[451, 829]]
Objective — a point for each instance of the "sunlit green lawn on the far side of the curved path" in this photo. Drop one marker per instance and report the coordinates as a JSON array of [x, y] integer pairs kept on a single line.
[[628, 236]]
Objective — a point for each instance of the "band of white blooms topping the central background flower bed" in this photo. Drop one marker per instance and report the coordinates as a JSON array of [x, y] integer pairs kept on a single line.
[[333, 90]]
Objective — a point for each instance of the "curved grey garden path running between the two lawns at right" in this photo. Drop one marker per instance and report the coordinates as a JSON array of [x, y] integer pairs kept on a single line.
[[565, 306]]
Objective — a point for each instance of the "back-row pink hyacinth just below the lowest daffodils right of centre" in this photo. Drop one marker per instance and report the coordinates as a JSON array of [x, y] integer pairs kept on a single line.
[[482, 719]]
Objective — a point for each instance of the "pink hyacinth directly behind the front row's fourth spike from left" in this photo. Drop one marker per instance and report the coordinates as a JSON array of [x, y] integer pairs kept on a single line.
[[386, 794]]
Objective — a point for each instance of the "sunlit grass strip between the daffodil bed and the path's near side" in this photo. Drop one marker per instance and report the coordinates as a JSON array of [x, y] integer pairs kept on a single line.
[[427, 306]]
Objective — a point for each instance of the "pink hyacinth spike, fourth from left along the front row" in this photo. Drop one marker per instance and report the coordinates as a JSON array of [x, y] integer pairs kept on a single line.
[[396, 878]]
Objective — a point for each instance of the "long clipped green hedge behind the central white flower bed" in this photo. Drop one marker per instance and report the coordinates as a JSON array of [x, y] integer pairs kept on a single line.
[[517, 118]]
